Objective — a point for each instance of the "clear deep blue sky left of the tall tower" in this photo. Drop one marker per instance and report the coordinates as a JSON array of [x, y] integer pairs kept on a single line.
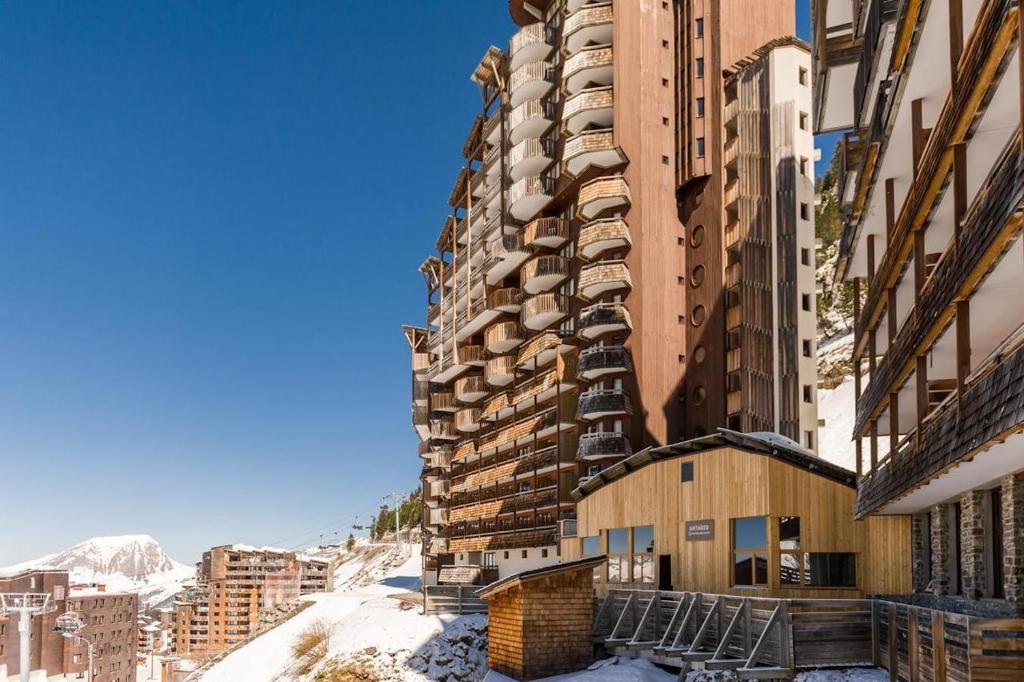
[[211, 216]]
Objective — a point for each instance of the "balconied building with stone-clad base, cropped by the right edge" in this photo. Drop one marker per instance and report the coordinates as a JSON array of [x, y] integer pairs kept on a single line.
[[929, 94]]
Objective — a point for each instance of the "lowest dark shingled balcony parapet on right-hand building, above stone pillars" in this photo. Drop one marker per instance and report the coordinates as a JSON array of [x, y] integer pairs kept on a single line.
[[992, 408]]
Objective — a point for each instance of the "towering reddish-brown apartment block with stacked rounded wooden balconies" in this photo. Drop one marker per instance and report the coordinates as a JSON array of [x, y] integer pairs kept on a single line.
[[631, 227]]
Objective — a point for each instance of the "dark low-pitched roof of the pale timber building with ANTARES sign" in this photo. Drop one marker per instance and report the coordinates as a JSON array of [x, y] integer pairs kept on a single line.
[[771, 445]]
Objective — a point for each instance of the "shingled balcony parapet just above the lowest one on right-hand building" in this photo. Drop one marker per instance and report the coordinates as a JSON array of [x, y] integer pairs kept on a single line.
[[994, 221]]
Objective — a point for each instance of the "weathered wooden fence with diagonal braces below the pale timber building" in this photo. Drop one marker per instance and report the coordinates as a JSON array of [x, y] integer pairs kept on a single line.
[[761, 638]]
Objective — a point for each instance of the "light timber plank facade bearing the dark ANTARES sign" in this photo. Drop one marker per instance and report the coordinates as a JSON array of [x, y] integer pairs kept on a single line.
[[731, 483]]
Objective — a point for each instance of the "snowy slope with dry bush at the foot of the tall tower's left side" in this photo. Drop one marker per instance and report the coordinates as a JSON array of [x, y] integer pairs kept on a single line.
[[370, 630]]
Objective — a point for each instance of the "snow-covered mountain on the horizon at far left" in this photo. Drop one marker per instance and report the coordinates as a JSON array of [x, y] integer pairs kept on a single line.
[[122, 564]]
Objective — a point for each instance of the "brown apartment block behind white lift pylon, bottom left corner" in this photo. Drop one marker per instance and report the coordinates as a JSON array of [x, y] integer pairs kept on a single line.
[[111, 622]]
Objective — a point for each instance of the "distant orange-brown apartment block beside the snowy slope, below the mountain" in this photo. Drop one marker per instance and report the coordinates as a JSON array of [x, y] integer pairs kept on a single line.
[[236, 586]]
